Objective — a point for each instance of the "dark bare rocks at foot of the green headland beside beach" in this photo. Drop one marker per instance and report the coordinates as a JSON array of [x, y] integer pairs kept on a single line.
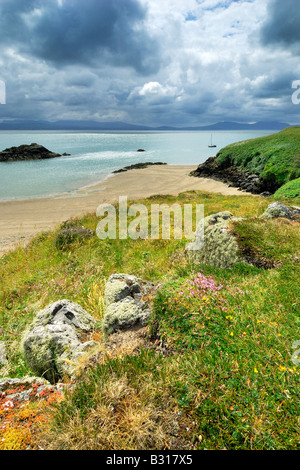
[[233, 176]]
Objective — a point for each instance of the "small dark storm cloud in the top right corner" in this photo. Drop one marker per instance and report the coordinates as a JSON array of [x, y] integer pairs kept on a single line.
[[283, 24]]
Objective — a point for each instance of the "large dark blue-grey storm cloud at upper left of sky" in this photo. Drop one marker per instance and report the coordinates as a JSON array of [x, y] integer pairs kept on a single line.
[[90, 32]]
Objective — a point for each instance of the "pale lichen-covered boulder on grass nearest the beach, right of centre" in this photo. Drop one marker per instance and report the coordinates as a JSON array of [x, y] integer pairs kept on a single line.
[[214, 244]]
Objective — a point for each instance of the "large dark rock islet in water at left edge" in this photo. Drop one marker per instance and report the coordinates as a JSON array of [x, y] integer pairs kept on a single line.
[[27, 152]]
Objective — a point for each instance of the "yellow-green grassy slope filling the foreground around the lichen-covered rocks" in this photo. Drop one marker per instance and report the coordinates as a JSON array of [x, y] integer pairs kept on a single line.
[[230, 382]]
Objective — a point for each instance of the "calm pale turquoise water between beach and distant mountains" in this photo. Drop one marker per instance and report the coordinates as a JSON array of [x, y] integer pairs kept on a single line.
[[94, 155]]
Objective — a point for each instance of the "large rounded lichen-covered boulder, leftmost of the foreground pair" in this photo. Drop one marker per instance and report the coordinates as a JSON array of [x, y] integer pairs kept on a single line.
[[56, 340]]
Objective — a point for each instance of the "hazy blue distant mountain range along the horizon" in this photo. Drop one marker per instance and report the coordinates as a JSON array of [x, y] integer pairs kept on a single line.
[[120, 126]]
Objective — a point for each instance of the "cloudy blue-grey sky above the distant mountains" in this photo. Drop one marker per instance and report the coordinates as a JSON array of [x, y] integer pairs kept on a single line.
[[151, 62]]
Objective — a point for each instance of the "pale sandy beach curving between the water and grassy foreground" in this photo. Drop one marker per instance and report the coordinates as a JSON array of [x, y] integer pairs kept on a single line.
[[21, 220]]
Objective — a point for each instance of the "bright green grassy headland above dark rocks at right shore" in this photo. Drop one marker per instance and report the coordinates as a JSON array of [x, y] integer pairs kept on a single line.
[[275, 158]]
